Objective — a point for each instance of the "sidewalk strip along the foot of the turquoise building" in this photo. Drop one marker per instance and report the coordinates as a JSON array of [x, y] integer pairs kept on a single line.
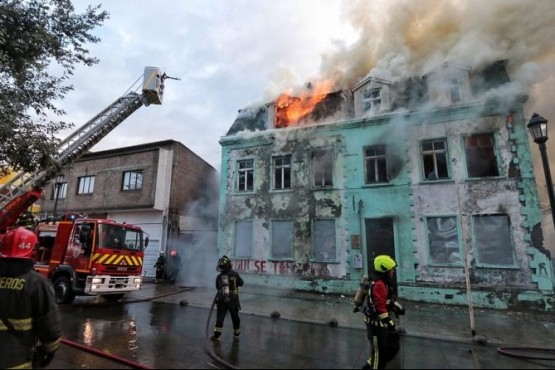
[[496, 327]]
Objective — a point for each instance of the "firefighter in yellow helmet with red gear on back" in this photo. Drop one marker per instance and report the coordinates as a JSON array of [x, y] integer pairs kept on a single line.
[[375, 297]]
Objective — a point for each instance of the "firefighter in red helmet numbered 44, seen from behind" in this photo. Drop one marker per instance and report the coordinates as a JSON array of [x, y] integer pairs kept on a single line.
[[30, 329]]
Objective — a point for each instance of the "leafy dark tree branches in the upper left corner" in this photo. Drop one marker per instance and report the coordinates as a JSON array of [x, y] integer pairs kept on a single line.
[[41, 42]]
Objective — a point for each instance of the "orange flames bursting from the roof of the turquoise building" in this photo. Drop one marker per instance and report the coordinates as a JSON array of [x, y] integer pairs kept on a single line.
[[290, 109]]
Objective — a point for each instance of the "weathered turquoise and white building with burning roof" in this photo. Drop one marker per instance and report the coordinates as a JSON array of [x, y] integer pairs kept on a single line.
[[435, 171]]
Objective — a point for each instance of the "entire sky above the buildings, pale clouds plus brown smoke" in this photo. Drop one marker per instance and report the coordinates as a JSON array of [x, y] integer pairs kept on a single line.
[[230, 54]]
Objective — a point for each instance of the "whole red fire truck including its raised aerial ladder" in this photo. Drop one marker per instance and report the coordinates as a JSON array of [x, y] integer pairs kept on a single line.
[[80, 255]]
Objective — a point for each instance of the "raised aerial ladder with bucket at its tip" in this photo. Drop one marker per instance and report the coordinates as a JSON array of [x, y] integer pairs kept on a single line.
[[24, 189]]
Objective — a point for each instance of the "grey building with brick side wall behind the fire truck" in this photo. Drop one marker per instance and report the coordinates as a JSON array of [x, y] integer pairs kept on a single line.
[[173, 180]]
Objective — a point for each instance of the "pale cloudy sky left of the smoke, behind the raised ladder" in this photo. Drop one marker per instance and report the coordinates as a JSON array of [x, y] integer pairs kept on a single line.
[[228, 54]]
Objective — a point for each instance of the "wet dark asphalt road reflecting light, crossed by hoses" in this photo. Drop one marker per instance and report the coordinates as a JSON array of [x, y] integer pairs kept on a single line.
[[168, 335]]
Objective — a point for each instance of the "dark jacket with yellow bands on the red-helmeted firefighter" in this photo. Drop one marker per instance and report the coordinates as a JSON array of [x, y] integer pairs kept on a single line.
[[28, 303]]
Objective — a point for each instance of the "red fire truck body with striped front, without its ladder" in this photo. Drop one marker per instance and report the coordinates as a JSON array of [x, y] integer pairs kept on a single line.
[[83, 256]]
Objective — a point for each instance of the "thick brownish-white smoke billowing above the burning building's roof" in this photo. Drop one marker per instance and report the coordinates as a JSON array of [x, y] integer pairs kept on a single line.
[[398, 39]]
